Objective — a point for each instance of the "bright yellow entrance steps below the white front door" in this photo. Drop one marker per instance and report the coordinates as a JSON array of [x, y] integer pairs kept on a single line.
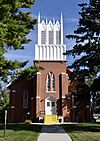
[[51, 119]]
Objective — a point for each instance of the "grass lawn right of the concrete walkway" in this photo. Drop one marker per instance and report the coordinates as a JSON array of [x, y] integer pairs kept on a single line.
[[83, 131]]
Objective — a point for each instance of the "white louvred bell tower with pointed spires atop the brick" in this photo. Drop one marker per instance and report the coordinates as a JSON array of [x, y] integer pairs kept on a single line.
[[50, 45]]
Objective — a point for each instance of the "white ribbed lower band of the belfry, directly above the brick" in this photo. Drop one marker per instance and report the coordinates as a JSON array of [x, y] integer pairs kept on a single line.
[[52, 54]]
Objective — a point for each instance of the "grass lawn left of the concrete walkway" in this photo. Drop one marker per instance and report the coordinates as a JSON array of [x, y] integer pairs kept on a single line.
[[20, 132]]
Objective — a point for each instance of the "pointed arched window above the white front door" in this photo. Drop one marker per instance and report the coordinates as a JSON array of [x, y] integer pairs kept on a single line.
[[50, 82]]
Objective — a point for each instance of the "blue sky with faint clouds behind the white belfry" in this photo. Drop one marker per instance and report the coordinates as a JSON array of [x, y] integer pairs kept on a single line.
[[50, 9]]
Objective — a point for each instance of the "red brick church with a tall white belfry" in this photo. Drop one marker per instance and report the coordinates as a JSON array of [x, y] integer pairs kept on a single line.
[[48, 92]]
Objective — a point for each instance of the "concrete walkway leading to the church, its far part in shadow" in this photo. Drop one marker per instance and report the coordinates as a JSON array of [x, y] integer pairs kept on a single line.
[[53, 133]]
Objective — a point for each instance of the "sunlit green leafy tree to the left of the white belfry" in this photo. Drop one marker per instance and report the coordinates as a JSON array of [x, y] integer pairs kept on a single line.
[[16, 23]]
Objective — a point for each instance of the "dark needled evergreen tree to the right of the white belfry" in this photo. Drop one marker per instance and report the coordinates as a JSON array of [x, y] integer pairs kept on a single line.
[[87, 42]]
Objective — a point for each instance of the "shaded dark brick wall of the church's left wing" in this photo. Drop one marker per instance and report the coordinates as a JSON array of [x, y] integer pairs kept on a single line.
[[16, 112]]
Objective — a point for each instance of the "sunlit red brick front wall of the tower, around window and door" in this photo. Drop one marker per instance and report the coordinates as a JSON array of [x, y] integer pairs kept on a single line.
[[61, 81]]
